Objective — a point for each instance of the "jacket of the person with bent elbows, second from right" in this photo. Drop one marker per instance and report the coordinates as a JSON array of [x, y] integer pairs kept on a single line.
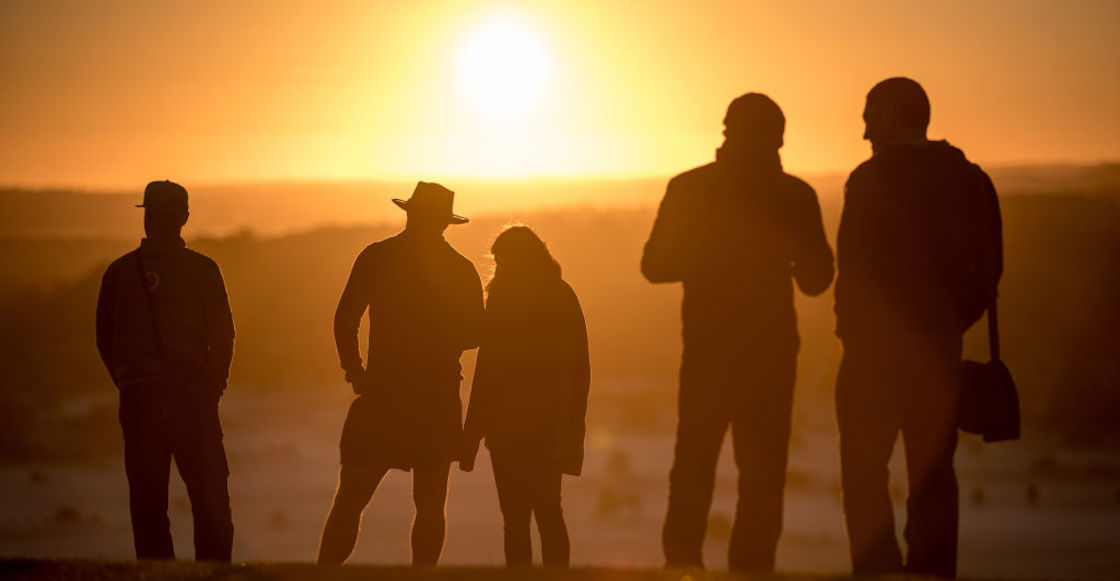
[[736, 233]]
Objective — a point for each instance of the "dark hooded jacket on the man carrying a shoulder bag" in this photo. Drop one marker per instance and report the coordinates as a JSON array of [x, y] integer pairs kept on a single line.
[[920, 247]]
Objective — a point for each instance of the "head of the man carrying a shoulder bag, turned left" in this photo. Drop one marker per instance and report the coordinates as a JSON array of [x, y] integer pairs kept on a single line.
[[898, 111]]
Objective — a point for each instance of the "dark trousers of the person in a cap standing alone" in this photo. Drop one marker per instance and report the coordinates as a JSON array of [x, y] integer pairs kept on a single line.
[[188, 429]]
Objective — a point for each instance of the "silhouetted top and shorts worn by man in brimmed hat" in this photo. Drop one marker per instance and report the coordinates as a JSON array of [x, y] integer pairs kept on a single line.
[[426, 308]]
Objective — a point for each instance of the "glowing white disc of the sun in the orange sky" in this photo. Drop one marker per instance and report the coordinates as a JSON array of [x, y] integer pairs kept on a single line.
[[503, 67]]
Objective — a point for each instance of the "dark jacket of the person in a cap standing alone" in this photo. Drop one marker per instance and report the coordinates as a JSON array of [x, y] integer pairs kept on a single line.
[[192, 314]]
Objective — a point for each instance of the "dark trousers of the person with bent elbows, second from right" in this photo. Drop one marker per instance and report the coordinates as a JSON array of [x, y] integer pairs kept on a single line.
[[753, 395]]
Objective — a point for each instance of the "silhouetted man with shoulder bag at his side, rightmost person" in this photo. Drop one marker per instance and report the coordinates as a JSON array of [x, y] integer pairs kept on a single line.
[[919, 258]]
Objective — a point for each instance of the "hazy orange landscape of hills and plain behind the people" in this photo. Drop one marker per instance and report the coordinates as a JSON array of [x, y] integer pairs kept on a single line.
[[1047, 507]]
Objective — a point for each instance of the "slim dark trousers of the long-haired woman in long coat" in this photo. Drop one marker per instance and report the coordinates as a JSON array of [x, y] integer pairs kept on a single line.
[[528, 489]]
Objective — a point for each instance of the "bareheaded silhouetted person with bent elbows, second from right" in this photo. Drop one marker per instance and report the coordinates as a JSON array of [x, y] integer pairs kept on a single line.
[[735, 232]]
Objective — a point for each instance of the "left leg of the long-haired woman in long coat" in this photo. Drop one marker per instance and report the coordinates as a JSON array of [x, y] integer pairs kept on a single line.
[[515, 498]]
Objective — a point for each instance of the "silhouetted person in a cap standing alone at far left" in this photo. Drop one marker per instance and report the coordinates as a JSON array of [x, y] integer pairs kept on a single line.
[[165, 333]]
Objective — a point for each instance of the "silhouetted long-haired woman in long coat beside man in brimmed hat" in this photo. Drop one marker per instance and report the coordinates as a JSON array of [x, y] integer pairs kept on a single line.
[[529, 395]]
